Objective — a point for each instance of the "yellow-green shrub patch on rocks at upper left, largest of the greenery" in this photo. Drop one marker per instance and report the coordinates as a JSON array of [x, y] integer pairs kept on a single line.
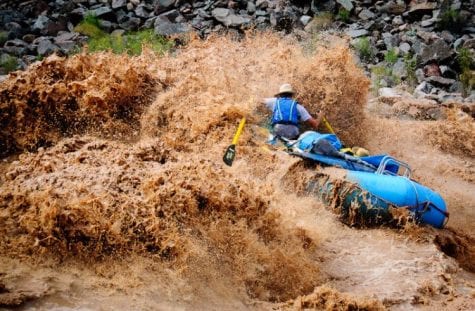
[[130, 43]]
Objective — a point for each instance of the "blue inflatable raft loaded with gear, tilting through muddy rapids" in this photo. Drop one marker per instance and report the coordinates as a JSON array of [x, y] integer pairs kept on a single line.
[[376, 189]]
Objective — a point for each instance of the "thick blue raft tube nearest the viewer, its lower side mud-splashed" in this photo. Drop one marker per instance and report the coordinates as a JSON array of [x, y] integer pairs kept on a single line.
[[369, 199]]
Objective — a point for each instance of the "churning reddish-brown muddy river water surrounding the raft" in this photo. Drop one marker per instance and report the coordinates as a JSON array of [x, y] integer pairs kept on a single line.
[[114, 195]]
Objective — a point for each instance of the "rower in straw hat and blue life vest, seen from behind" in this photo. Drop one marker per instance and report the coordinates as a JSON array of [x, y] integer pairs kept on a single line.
[[287, 113]]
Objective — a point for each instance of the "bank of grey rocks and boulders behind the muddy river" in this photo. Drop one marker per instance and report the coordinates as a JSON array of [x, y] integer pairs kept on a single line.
[[428, 45]]
